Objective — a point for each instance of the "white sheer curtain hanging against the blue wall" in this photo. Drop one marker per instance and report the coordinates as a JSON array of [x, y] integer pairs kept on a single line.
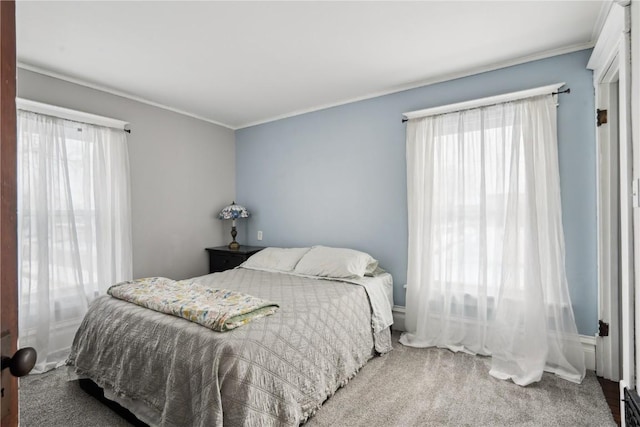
[[486, 269]]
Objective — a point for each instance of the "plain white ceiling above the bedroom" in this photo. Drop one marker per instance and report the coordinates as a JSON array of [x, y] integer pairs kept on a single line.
[[242, 63]]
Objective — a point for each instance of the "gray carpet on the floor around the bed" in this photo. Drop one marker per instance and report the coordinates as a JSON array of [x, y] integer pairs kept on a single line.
[[407, 387]]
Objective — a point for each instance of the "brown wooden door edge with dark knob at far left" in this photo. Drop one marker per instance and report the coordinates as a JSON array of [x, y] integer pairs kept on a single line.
[[8, 235]]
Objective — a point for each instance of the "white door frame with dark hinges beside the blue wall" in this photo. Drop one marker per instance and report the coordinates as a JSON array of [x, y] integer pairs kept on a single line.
[[611, 62]]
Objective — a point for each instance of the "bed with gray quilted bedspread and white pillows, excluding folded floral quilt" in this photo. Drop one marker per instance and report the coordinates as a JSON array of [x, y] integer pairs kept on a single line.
[[276, 370]]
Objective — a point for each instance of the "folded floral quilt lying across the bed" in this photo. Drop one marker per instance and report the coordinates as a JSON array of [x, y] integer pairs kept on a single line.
[[217, 309]]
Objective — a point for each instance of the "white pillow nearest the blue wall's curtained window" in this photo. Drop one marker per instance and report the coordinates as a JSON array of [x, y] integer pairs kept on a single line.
[[323, 261]]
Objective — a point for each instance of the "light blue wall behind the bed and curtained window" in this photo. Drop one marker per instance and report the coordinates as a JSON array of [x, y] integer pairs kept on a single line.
[[338, 176]]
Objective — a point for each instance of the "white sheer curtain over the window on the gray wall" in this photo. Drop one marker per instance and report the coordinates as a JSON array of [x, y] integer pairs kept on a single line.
[[74, 233]]
